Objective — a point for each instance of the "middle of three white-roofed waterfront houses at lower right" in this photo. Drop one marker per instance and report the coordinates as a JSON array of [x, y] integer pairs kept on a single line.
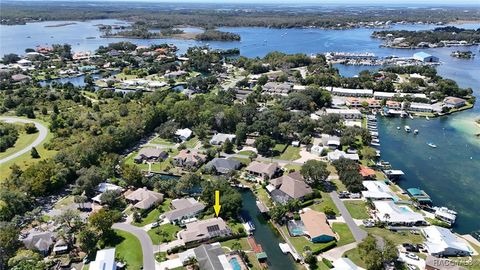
[[388, 211]]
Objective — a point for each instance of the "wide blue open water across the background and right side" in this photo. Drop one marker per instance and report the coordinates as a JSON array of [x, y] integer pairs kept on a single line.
[[449, 173]]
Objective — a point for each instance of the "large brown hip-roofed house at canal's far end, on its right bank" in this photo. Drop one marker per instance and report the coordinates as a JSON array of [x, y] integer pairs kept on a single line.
[[288, 187]]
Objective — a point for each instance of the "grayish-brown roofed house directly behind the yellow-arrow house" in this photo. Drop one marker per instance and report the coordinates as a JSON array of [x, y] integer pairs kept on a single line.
[[183, 209]]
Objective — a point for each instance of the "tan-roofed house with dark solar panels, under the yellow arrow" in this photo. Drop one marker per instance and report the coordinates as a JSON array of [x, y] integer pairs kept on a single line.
[[204, 230]]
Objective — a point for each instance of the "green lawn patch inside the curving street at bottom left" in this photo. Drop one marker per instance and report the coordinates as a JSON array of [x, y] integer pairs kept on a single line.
[[129, 249]]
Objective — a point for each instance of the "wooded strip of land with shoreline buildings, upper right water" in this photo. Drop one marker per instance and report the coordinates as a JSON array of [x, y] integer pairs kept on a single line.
[[439, 37]]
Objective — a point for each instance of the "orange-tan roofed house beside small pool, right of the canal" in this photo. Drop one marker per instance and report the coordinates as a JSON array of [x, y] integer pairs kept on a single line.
[[316, 226]]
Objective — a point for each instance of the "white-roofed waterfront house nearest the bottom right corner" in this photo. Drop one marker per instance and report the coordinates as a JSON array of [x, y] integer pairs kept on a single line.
[[439, 239]]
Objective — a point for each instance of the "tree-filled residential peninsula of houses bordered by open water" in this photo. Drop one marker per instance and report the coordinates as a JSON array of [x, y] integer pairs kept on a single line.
[[139, 156]]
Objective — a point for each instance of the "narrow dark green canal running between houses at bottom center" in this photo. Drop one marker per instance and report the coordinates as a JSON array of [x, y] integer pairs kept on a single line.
[[264, 234]]
